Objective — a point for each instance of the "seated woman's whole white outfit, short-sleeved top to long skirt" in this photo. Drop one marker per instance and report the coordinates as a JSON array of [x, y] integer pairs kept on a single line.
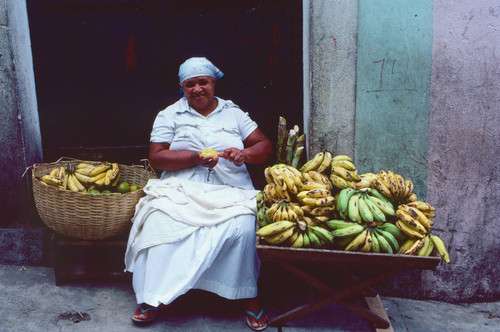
[[218, 254]]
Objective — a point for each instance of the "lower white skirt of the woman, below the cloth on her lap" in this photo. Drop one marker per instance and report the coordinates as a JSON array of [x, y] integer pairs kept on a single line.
[[221, 259]]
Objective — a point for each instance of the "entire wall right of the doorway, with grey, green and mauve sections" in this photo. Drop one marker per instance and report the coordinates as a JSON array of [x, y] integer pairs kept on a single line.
[[457, 108]]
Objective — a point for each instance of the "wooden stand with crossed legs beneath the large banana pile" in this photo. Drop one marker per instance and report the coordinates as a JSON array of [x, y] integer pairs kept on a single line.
[[385, 266]]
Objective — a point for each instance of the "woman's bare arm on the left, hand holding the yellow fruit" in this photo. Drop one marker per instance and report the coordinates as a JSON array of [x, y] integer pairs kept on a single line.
[[162, 158]]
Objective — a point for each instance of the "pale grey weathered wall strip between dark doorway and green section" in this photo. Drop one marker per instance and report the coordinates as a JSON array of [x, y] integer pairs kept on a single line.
[[333, 75]]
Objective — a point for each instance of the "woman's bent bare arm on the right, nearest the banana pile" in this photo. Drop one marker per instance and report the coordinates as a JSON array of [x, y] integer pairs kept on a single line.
[[258, 149]]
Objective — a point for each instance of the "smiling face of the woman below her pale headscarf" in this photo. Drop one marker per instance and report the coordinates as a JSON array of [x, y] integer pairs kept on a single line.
[[199, 92]]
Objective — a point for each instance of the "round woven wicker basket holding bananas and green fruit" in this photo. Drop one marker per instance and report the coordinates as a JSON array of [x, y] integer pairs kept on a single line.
[[88, 216]]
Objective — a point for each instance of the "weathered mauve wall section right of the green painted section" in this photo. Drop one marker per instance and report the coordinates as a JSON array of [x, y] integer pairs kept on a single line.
[[464, 147]]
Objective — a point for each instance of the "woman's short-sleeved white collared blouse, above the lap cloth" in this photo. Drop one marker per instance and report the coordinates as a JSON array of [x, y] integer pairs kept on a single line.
[[185, 129]]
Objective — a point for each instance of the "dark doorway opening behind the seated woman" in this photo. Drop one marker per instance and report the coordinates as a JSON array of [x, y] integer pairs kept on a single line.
[[104, 69]]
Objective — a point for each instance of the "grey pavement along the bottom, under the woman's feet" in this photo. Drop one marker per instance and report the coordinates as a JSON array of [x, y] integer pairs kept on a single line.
[[31, 301]]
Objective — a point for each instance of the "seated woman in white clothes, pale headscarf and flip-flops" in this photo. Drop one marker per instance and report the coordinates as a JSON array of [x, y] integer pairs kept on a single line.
[[195, 228]]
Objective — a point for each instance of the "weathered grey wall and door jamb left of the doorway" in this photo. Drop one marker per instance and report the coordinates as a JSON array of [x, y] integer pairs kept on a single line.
[[21, 242]]
